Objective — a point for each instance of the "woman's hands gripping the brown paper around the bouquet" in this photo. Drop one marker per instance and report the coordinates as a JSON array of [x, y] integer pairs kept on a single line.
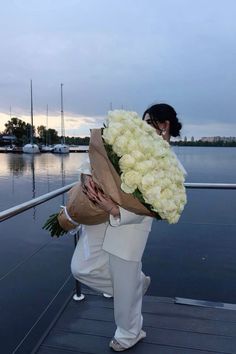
[[98, 197]]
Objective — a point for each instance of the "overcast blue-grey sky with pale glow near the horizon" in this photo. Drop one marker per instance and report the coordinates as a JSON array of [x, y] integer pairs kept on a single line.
[[130, 53]]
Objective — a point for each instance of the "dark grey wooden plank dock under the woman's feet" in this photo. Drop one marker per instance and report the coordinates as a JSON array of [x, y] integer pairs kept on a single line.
[[87, 327]]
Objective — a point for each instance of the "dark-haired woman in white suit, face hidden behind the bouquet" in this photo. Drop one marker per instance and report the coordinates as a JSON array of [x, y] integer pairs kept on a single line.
[[108, 256]]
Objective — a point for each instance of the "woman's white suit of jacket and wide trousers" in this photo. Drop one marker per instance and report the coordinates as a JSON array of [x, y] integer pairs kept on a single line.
[[107, 258]]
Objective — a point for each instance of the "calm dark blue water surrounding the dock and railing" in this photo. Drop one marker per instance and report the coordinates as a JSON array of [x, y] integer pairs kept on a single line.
[[194, 259]]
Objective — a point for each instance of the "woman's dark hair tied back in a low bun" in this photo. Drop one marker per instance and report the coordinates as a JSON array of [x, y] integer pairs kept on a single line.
[[161, 112]]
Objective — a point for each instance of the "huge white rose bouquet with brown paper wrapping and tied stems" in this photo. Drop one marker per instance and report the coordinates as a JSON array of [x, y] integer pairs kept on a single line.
[[135, 167]]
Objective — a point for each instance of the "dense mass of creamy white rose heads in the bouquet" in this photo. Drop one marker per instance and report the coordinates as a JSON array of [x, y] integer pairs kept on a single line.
[[148, 167]]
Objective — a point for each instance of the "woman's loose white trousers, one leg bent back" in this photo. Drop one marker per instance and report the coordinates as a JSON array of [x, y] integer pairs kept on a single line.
[[122, 279]]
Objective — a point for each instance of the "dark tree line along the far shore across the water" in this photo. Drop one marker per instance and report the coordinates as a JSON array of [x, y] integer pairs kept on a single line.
[[22, 133]]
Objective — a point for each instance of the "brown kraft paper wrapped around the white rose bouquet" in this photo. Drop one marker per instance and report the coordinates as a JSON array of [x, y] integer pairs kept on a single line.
[[80, 208]]
